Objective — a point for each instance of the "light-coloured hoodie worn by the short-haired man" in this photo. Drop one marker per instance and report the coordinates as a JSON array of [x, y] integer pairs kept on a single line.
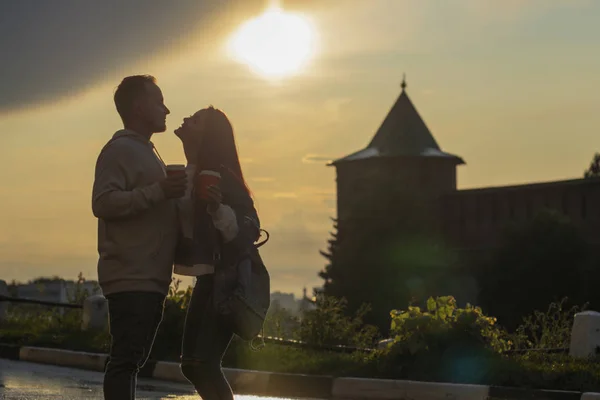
[[137, 226]]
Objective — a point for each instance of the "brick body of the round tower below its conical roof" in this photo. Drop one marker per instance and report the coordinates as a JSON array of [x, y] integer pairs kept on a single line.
[[374, 192]]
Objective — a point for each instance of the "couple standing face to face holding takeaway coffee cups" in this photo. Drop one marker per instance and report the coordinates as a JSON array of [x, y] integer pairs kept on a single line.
[[143, 213]]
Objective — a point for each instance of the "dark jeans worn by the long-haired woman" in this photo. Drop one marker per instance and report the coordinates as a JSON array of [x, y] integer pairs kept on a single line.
[[205, 340]]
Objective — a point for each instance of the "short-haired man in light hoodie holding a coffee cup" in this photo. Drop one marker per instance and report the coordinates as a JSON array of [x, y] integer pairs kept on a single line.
[[136, 206]]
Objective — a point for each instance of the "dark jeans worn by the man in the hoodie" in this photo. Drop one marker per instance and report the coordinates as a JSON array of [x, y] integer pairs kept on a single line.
[[134, 318]]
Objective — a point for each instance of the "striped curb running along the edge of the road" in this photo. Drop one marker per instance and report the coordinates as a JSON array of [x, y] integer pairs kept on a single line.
[[295, 385]]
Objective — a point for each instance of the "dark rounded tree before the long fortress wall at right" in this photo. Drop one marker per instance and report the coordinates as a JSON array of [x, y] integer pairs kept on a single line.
[[540, 262]]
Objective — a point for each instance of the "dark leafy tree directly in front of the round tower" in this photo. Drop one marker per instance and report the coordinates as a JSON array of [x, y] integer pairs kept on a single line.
[[385, 265]]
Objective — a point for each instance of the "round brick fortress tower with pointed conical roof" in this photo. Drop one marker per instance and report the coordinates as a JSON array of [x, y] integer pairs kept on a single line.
[[400, 175]]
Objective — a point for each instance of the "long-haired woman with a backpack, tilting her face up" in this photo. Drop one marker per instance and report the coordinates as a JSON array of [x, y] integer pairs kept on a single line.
[[225, 225]]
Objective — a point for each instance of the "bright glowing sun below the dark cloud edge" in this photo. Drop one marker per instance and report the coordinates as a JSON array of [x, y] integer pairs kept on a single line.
[[276, 44]]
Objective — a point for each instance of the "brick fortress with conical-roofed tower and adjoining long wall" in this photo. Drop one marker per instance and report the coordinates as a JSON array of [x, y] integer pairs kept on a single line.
[[403, 171]]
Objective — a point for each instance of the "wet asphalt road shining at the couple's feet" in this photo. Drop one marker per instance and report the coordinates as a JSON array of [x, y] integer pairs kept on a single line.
[[25, 381]]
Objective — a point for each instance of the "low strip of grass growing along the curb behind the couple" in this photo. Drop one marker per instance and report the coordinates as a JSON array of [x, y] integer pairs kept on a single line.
[[533, 371]]
